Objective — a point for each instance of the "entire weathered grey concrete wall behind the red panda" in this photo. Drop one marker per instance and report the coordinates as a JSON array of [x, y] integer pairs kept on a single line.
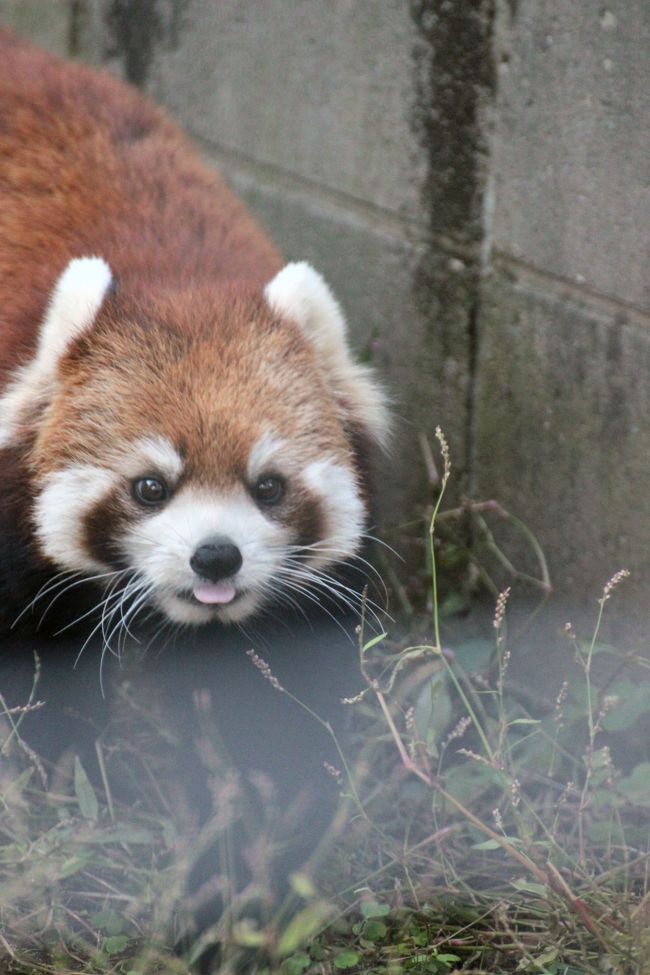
[[472, 177]]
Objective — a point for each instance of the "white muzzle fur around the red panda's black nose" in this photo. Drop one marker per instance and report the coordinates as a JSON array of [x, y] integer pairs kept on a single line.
[[161, 545]]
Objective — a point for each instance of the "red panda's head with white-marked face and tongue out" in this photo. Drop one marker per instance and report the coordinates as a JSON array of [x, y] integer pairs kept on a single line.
[[197, 456]]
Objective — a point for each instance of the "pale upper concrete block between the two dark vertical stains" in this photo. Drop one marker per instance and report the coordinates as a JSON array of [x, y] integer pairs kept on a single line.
[[319, 90]]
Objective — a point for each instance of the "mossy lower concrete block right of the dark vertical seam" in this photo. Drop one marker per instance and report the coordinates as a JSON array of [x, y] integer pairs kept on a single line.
[[563, 403]]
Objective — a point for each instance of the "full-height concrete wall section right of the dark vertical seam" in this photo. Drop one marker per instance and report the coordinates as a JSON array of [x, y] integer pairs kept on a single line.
[[562, 407]]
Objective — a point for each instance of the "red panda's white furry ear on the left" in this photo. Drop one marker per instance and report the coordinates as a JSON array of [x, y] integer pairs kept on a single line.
[[73, 307]]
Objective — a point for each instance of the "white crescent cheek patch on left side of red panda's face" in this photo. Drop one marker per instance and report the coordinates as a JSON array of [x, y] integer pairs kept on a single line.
[[66, 497]]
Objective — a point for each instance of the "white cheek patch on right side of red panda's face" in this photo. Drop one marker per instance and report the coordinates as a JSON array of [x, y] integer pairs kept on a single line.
[[337, 488]]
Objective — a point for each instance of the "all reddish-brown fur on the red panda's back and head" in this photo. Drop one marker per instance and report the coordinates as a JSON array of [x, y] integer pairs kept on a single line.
[[185, 347]]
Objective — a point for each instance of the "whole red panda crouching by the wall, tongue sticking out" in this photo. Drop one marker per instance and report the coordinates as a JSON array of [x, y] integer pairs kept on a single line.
[[181, 420]]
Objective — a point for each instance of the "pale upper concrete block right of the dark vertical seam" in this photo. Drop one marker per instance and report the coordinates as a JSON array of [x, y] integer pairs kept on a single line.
[[571, 148]]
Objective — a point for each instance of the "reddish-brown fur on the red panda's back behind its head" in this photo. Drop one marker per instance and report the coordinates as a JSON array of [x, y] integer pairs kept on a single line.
[[88, 166]]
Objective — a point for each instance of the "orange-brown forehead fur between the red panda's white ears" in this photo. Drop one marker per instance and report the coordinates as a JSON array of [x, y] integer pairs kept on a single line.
[[208, 383]]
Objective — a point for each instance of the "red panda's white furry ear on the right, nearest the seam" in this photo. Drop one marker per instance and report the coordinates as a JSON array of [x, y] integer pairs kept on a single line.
[[300, 294]]
